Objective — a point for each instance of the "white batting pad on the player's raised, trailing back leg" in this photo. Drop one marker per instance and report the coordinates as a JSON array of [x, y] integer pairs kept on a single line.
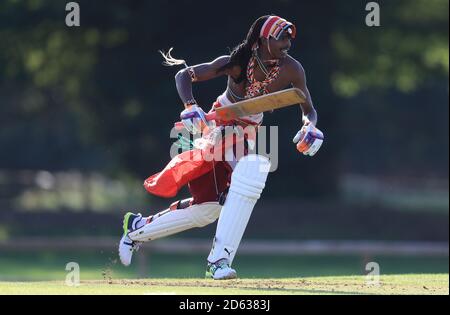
[[178, 220]]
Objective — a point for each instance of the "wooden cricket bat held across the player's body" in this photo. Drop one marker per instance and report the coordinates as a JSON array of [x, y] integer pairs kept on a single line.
[[252, 106]]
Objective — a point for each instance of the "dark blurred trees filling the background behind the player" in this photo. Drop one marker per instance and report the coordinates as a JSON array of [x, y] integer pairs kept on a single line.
[[95, 99]]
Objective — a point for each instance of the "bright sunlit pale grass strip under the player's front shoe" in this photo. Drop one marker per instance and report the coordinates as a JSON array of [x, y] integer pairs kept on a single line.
[[348, 285]]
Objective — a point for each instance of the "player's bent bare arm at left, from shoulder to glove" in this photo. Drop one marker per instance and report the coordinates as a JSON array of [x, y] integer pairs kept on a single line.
[[203, 72]]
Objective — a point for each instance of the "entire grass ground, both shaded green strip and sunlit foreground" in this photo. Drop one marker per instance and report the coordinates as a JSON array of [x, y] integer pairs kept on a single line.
[[44, 272]]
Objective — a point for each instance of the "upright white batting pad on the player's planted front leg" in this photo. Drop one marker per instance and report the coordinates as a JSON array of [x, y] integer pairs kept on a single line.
[[247, 182]]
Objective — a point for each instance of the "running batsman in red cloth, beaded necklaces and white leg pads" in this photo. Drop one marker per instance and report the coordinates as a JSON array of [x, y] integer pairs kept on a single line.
[[225, 189]]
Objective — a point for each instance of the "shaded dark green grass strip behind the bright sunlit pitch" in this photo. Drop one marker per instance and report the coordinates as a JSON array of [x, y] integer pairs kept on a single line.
[[47, 266]]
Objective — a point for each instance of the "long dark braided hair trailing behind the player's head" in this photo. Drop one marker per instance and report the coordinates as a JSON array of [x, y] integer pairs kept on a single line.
[[242, 53]]
